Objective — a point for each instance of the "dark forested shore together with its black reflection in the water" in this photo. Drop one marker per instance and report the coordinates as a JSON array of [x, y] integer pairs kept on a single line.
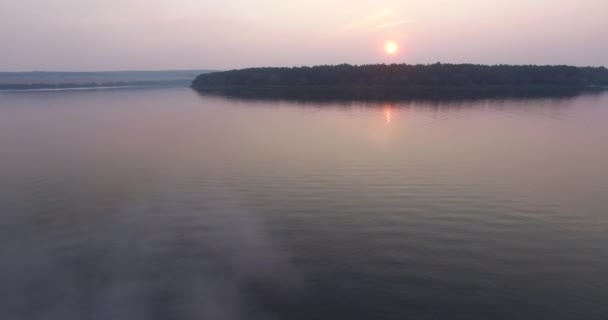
[[404, 81]]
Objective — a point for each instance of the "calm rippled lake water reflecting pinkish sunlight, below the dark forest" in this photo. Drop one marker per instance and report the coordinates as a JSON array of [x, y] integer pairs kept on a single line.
[[164, 204]]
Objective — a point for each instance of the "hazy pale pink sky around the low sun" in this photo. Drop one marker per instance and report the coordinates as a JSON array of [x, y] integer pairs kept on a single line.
[[91, 35]]
